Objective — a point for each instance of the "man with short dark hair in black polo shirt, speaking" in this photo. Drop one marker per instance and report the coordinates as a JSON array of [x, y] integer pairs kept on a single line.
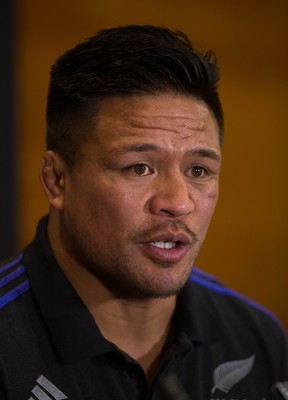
[[103, 305]]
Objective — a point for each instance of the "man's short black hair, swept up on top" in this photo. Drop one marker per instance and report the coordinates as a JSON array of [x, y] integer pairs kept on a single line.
[[124, 61]]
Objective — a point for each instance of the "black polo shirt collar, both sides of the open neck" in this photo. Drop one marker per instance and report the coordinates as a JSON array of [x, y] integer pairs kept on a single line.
[[70, 322]]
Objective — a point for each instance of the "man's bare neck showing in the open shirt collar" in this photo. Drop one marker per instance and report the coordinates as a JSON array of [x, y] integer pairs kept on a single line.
[[138, 327]]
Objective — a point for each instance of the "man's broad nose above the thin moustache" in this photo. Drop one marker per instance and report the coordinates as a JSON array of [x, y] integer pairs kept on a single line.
[[172, 197]]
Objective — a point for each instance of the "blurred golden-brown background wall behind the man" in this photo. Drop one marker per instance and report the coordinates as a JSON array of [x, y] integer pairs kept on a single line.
[[247, 244]]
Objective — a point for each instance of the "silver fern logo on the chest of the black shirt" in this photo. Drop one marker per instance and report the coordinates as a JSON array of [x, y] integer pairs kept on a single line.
[[226, 375]]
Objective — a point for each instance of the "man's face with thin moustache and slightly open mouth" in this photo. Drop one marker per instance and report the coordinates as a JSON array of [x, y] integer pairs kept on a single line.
[[138, 203]]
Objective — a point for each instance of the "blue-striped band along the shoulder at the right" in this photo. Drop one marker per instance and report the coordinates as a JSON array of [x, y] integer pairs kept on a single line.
[[208, 281]]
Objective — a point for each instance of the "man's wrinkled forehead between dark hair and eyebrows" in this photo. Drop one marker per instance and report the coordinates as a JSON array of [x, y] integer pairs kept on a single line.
[[163, 117]]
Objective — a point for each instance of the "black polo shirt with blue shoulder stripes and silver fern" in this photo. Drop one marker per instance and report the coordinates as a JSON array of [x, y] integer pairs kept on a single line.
[[222, 347]]
